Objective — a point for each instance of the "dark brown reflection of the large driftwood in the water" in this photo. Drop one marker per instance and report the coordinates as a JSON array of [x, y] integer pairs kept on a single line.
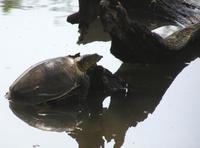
[[147, 85]]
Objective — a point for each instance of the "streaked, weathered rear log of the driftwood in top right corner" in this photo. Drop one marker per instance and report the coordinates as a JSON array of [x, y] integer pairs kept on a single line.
[[162, 12]]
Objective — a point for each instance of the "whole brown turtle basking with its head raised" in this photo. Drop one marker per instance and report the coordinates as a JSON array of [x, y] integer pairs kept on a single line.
[[53, 79]]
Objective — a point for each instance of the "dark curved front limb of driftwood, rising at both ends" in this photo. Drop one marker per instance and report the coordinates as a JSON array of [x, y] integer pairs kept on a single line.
[[133, 42]]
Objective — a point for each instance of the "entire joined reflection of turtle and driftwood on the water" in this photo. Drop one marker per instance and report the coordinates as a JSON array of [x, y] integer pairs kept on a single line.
[[147, 85]]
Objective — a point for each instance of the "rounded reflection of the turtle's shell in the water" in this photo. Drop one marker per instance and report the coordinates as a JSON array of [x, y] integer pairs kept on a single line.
[[46, 117]]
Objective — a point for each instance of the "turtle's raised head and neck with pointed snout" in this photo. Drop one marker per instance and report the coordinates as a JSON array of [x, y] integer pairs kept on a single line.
[[86, 61]]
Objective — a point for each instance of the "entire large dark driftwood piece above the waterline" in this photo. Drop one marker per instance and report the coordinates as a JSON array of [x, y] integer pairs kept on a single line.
[[129, 24]]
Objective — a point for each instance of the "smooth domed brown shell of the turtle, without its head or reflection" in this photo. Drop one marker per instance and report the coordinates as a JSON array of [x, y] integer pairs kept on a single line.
[[48, 80]]
